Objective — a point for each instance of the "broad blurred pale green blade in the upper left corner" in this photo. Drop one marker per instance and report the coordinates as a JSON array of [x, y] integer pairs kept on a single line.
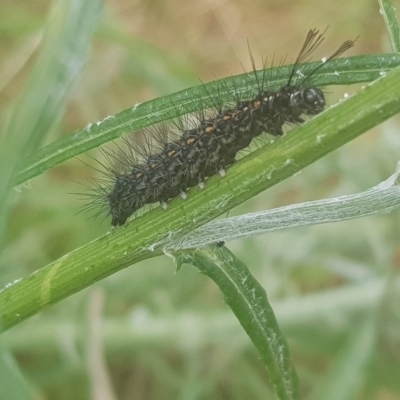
[[66, 46]]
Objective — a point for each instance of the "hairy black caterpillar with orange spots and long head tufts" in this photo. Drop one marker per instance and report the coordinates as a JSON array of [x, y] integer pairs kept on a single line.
[[139, 175]]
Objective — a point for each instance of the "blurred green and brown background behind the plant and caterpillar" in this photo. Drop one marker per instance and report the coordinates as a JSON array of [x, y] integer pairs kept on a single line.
[[146, 333]]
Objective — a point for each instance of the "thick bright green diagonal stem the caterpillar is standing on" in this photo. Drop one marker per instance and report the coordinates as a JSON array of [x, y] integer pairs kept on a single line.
[[146, 236]]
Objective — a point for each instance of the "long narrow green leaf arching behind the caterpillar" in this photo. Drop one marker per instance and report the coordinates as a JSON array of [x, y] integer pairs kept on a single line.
[[339, 72]]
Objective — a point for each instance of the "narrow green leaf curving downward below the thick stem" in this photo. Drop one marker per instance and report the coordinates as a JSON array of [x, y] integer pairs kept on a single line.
[[248, 301]]
